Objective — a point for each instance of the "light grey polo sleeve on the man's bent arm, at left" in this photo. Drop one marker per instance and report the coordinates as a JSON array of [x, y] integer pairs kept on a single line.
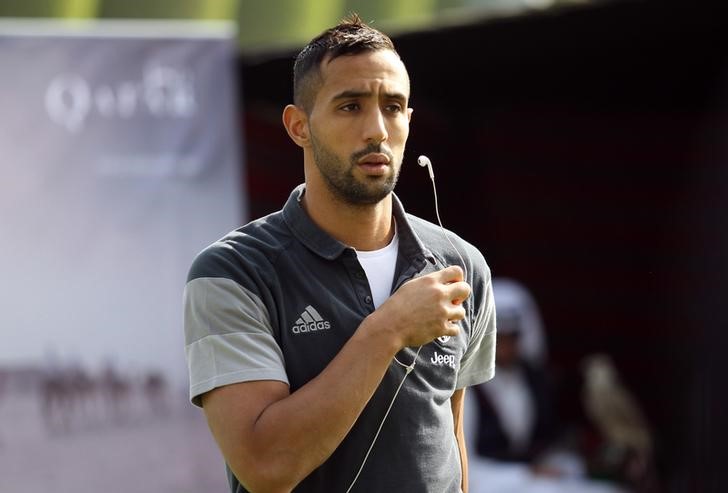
[[228, 336]]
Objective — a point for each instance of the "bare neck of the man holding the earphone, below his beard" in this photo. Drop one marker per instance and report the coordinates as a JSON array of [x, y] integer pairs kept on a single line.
[[364, 228]]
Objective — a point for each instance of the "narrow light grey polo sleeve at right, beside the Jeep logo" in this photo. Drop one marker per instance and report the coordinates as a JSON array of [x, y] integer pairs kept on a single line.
[[478, 363]]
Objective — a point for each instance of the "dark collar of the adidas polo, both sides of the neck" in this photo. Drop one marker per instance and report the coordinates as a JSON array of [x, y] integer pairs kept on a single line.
[[324, 245]]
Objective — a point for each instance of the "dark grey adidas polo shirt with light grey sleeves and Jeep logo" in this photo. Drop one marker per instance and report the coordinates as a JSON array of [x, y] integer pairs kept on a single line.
[[278, 298]]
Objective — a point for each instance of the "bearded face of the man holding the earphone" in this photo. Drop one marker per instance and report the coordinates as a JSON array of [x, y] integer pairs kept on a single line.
[[359, 125]]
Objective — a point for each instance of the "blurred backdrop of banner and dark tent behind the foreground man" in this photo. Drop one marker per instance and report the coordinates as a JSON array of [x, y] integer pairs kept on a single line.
[[581, 145]]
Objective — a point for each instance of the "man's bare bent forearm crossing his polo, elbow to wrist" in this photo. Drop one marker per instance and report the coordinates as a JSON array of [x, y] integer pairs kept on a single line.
[[294, 435]]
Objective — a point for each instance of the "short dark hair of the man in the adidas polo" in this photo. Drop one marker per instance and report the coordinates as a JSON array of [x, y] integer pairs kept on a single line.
[[350, 37]]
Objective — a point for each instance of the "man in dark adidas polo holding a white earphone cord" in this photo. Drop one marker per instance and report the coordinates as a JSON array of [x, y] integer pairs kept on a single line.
[[300, 325]]
